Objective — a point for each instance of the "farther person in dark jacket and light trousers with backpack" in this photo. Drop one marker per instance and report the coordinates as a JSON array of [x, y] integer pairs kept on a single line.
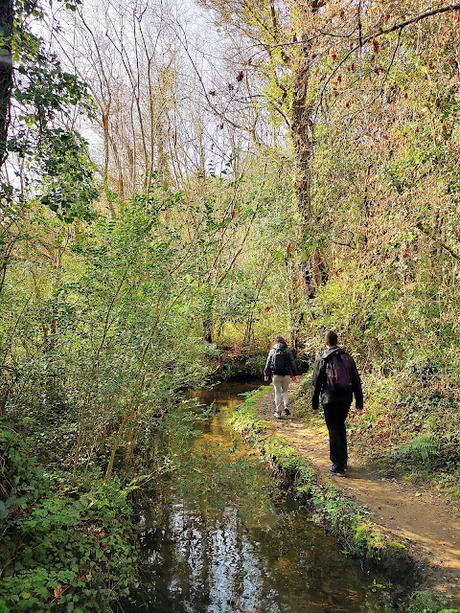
[[280, 367]]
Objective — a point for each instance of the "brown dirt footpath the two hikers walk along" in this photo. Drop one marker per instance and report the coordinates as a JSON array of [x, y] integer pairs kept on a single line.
[[419, 515]]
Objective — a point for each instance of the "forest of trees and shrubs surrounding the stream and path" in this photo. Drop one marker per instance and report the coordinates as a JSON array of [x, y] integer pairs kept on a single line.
[[181, 182]]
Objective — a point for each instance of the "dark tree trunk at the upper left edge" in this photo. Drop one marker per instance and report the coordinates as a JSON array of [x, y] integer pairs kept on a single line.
[[6, 73]]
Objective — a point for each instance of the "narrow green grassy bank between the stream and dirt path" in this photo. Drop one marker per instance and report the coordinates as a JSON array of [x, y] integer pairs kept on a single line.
[[351, 524]]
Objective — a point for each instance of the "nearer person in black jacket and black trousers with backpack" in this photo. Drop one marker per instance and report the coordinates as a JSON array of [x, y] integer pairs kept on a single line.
[[336, 380]]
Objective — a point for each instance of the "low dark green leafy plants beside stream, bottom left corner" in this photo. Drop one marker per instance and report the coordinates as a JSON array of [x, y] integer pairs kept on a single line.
[[65, 543]]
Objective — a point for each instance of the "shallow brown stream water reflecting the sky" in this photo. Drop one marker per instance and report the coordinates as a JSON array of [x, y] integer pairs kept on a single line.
[[219, 537]]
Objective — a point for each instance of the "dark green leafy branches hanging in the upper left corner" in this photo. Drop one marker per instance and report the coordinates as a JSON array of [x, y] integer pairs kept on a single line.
[[52, 161]]
